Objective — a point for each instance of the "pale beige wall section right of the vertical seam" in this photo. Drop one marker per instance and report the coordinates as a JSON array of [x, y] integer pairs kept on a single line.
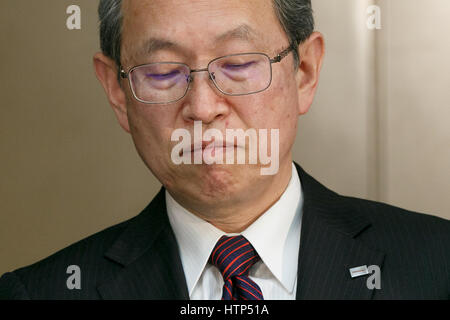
[[414, 67]]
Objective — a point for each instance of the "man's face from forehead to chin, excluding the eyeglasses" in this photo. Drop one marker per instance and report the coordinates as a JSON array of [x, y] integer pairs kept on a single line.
[[200, 31]]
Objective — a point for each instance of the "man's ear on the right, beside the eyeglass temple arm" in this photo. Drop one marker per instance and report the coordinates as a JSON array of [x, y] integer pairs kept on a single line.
[[311, 53]]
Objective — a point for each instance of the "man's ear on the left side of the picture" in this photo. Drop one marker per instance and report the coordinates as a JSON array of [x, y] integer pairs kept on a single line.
[[106, 72]]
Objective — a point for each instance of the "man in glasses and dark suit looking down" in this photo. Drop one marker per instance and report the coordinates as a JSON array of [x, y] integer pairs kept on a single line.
[[231, 230]]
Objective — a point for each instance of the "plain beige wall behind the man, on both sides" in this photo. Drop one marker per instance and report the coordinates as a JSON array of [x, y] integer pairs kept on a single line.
[[378, 128]]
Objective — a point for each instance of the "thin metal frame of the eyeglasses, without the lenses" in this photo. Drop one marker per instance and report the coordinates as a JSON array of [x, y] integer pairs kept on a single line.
[[282, 54]]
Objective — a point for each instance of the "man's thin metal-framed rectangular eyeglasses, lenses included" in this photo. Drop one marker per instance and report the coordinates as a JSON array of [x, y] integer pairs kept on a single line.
[[233, 75]]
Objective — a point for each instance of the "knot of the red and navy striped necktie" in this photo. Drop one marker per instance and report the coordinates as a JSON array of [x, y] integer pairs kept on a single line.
[[233, 256]]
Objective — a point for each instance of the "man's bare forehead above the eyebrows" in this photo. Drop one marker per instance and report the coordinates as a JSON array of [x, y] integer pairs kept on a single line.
[[197, 24]]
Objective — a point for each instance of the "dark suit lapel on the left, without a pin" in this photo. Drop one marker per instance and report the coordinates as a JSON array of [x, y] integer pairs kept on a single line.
[[147, 252]]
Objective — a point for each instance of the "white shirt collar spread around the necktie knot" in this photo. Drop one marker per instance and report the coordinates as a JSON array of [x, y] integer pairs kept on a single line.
[[275, 235]]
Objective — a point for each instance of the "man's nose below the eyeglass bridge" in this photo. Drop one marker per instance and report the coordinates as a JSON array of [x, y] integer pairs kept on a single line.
[[204, 102]]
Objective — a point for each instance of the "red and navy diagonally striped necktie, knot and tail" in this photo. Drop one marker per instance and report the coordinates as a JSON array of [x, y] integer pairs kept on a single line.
[[234, 256]]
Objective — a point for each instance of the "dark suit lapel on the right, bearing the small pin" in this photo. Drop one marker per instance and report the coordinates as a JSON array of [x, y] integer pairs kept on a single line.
[[329, 245]]
